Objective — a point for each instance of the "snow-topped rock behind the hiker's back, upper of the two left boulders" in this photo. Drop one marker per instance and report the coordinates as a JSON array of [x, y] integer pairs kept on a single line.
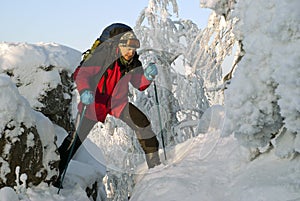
[[42, 73]]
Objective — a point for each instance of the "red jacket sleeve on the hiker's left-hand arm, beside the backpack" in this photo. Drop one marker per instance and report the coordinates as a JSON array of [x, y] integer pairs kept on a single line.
[[83, 77]]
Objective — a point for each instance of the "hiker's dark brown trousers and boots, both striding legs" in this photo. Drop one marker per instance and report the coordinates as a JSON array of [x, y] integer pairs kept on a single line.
[[134, 118]]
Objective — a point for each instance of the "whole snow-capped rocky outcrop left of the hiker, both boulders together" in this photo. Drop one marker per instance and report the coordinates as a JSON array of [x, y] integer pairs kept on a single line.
[[36, 93]]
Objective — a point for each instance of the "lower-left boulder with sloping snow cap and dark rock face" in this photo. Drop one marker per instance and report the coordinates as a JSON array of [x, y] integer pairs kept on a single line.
[[27, 139]]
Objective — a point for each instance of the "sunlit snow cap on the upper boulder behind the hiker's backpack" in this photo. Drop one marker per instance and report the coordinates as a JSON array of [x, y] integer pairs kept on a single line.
[[24, 60]]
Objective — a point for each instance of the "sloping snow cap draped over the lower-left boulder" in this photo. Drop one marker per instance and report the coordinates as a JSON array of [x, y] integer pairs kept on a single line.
[[15, 110]]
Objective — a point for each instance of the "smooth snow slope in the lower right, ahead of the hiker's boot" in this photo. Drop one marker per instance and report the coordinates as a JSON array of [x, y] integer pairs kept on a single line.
[[223, 174]]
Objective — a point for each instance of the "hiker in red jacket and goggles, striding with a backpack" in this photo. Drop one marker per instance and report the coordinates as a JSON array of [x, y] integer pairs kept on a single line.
[[102, 82]]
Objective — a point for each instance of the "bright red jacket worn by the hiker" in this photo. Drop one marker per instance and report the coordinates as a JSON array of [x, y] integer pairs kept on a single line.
[[111, 93]]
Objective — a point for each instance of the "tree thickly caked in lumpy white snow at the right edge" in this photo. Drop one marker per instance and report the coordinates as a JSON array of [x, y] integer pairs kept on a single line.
[[260, 112]]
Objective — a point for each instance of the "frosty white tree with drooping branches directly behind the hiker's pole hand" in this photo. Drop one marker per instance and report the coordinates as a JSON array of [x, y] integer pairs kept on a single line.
[[163, 40]]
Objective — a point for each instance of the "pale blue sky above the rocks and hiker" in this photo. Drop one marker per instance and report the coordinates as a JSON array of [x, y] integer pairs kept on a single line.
[[77, 23]]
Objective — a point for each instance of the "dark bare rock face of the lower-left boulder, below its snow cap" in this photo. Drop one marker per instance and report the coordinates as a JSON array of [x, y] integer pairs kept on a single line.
[[25, 152]]
